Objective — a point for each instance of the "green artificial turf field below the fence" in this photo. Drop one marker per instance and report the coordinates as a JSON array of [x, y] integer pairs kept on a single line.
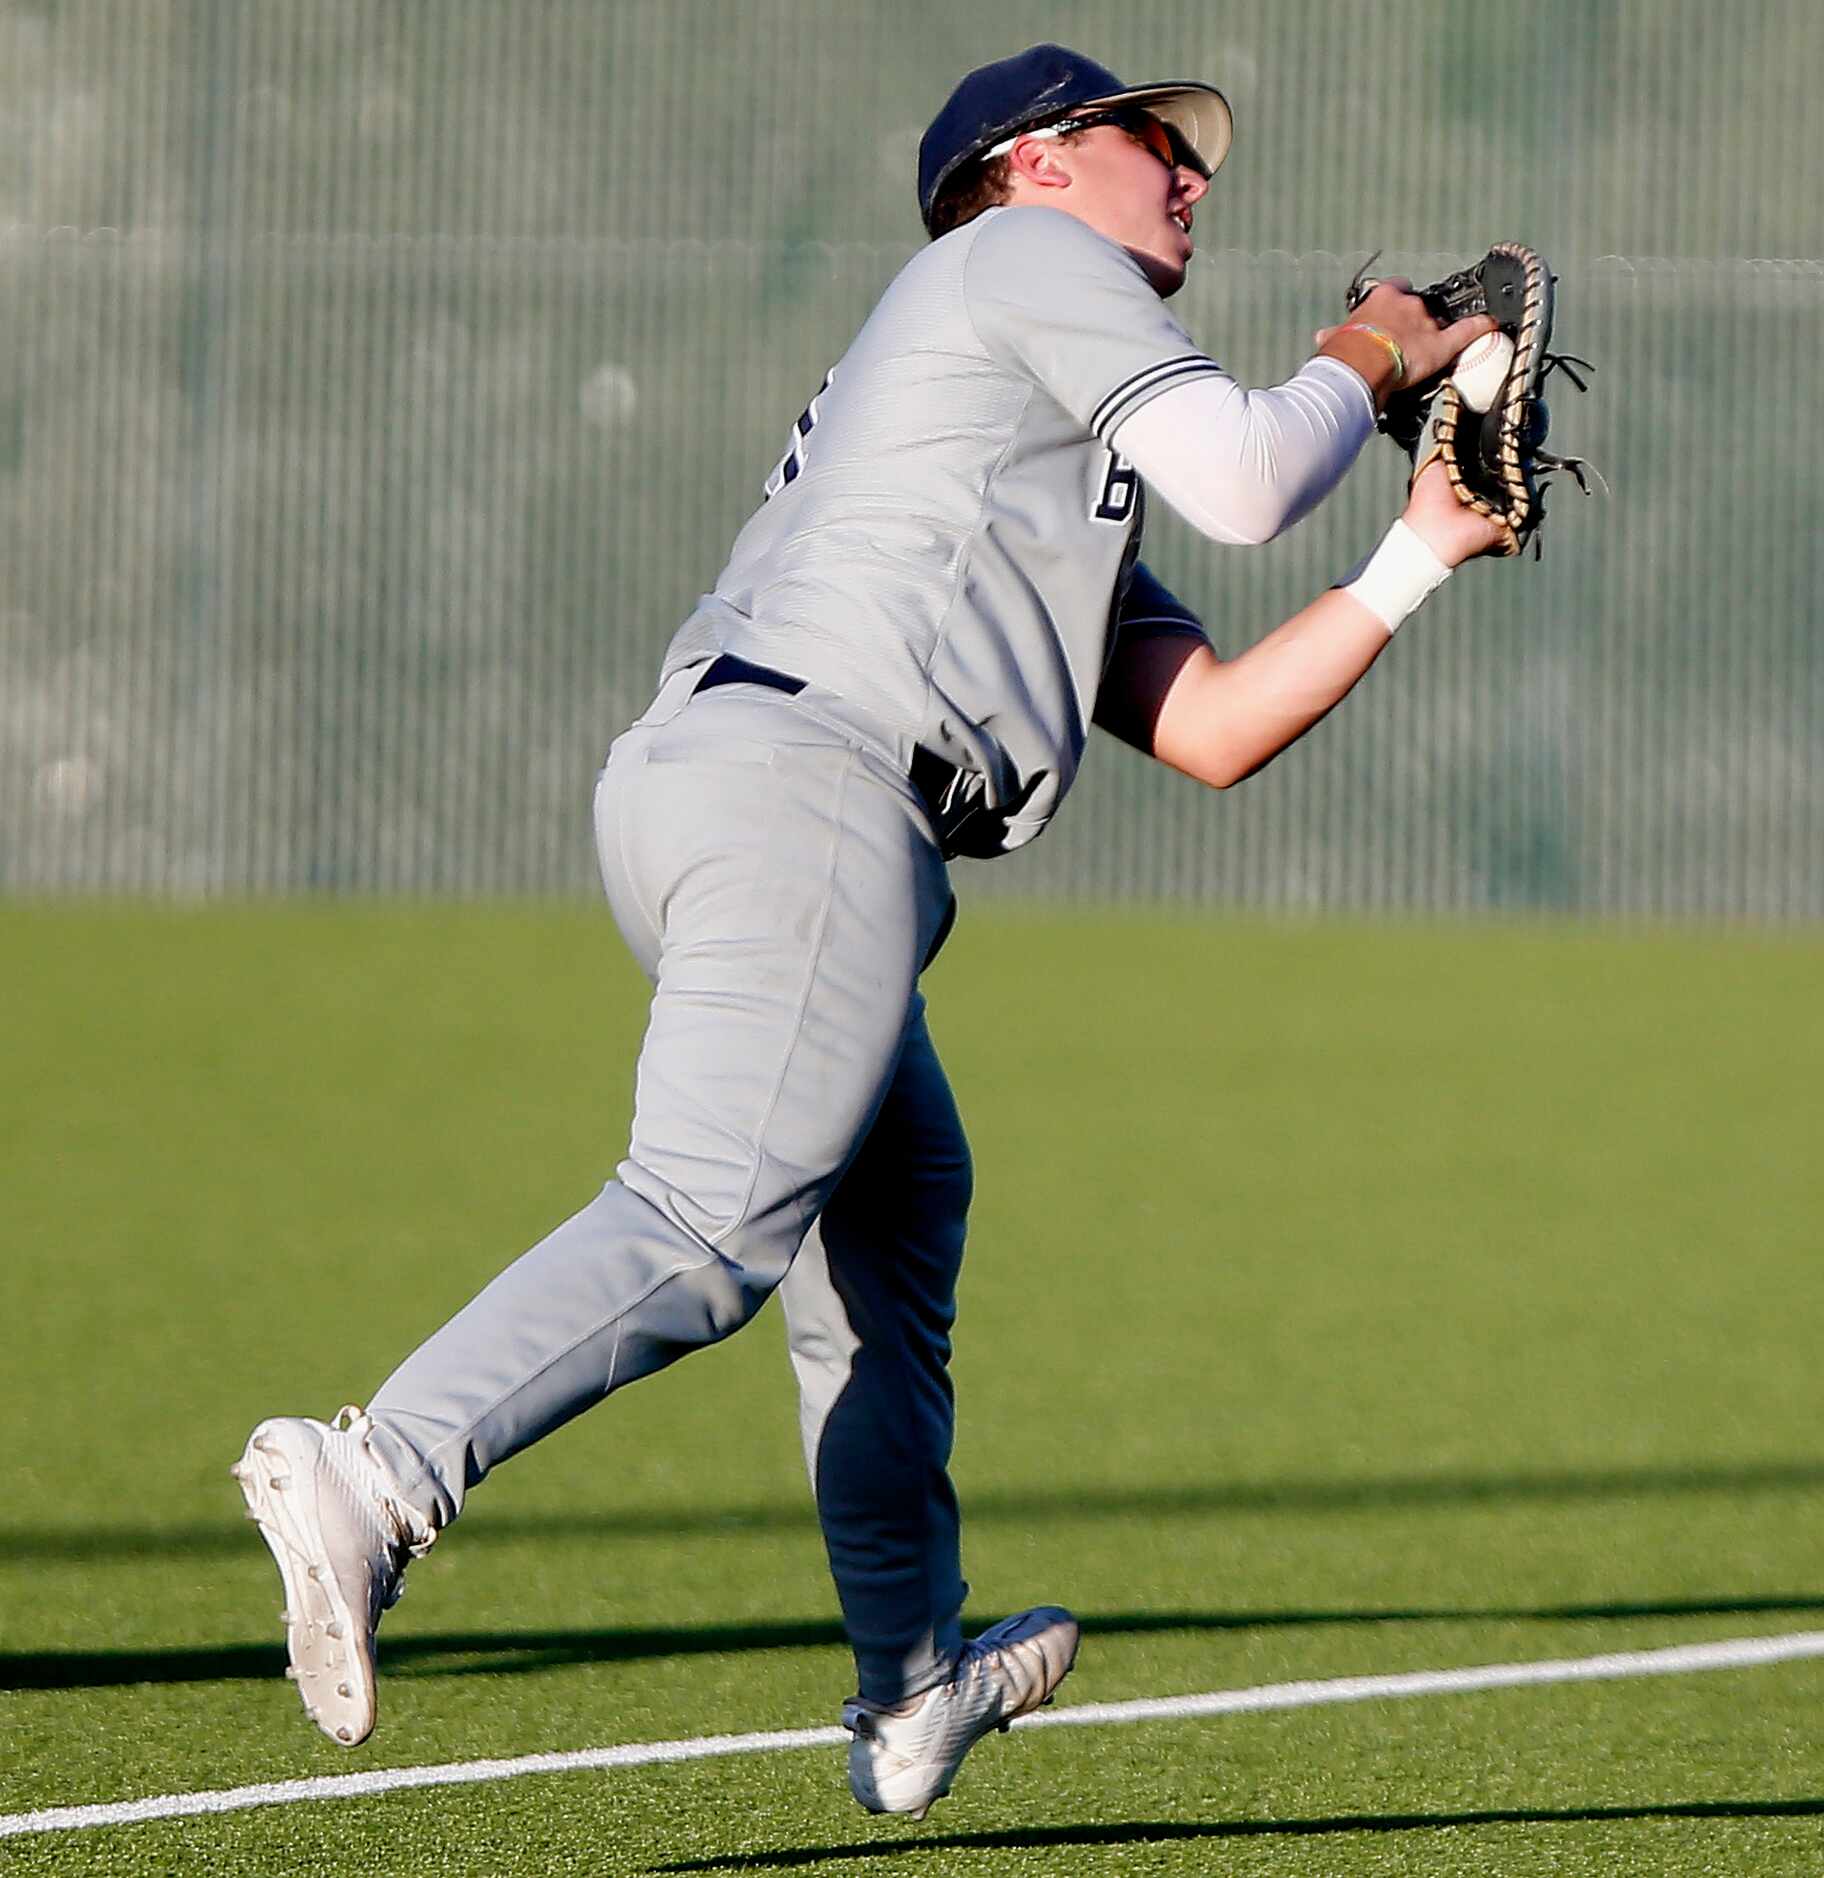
[[1342, 1301]]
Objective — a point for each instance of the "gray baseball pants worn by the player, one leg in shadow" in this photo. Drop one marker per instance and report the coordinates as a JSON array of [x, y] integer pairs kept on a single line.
[[794, 1131]]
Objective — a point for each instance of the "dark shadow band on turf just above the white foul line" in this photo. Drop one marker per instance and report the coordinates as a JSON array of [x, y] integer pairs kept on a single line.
[[529, 1652]]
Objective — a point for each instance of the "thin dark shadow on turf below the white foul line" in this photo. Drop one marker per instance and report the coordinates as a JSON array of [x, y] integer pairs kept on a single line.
[[1164, 1832]]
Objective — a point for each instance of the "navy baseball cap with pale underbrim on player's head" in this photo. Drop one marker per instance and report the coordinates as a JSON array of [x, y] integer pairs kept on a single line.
[[1047, 84]]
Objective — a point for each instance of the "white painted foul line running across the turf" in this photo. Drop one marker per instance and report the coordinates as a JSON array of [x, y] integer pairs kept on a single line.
[[1684, 1659]]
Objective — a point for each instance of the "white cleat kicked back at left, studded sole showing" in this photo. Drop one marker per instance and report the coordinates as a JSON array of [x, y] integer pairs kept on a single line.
[[343, 1537]]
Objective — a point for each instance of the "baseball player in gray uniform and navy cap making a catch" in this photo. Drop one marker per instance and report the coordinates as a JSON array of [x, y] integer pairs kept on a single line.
[[901, 662]]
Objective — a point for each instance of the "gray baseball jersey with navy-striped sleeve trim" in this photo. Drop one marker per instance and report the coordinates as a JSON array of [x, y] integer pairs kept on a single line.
[[948, 540]]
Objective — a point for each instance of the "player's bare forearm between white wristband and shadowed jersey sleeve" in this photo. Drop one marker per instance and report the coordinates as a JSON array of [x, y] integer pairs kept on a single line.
[[1226, 720]]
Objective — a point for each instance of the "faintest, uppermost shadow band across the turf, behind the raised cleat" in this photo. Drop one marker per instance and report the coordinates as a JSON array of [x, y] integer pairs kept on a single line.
[[226, 1537]]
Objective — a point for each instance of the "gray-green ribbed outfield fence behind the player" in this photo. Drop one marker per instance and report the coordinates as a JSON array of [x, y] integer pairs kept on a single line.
[[384, 380]]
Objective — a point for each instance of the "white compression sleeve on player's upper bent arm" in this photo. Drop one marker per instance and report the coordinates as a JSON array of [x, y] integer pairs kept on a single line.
[[1244, 465]]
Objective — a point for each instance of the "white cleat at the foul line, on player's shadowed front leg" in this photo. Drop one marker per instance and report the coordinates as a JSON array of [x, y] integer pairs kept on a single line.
[[904, 1759]]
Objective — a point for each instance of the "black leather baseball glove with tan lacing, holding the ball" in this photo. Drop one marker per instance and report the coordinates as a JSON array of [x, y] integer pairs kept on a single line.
[[1492, 446]]
